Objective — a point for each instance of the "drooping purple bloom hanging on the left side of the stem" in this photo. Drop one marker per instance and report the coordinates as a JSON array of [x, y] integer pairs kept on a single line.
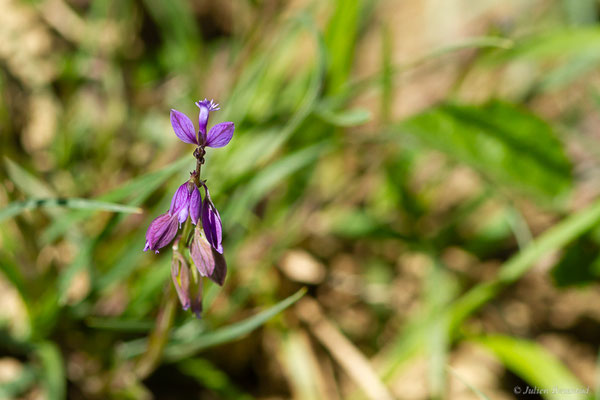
[[186, 201]]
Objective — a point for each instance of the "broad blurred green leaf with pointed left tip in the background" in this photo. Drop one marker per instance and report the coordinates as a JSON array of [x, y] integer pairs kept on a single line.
[[508, 145]]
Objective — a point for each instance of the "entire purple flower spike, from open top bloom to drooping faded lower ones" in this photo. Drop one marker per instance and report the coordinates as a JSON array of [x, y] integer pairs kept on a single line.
[[205, 240]]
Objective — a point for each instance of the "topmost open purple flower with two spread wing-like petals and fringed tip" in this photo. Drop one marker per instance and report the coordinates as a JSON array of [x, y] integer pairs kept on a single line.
[[218, 136]]
